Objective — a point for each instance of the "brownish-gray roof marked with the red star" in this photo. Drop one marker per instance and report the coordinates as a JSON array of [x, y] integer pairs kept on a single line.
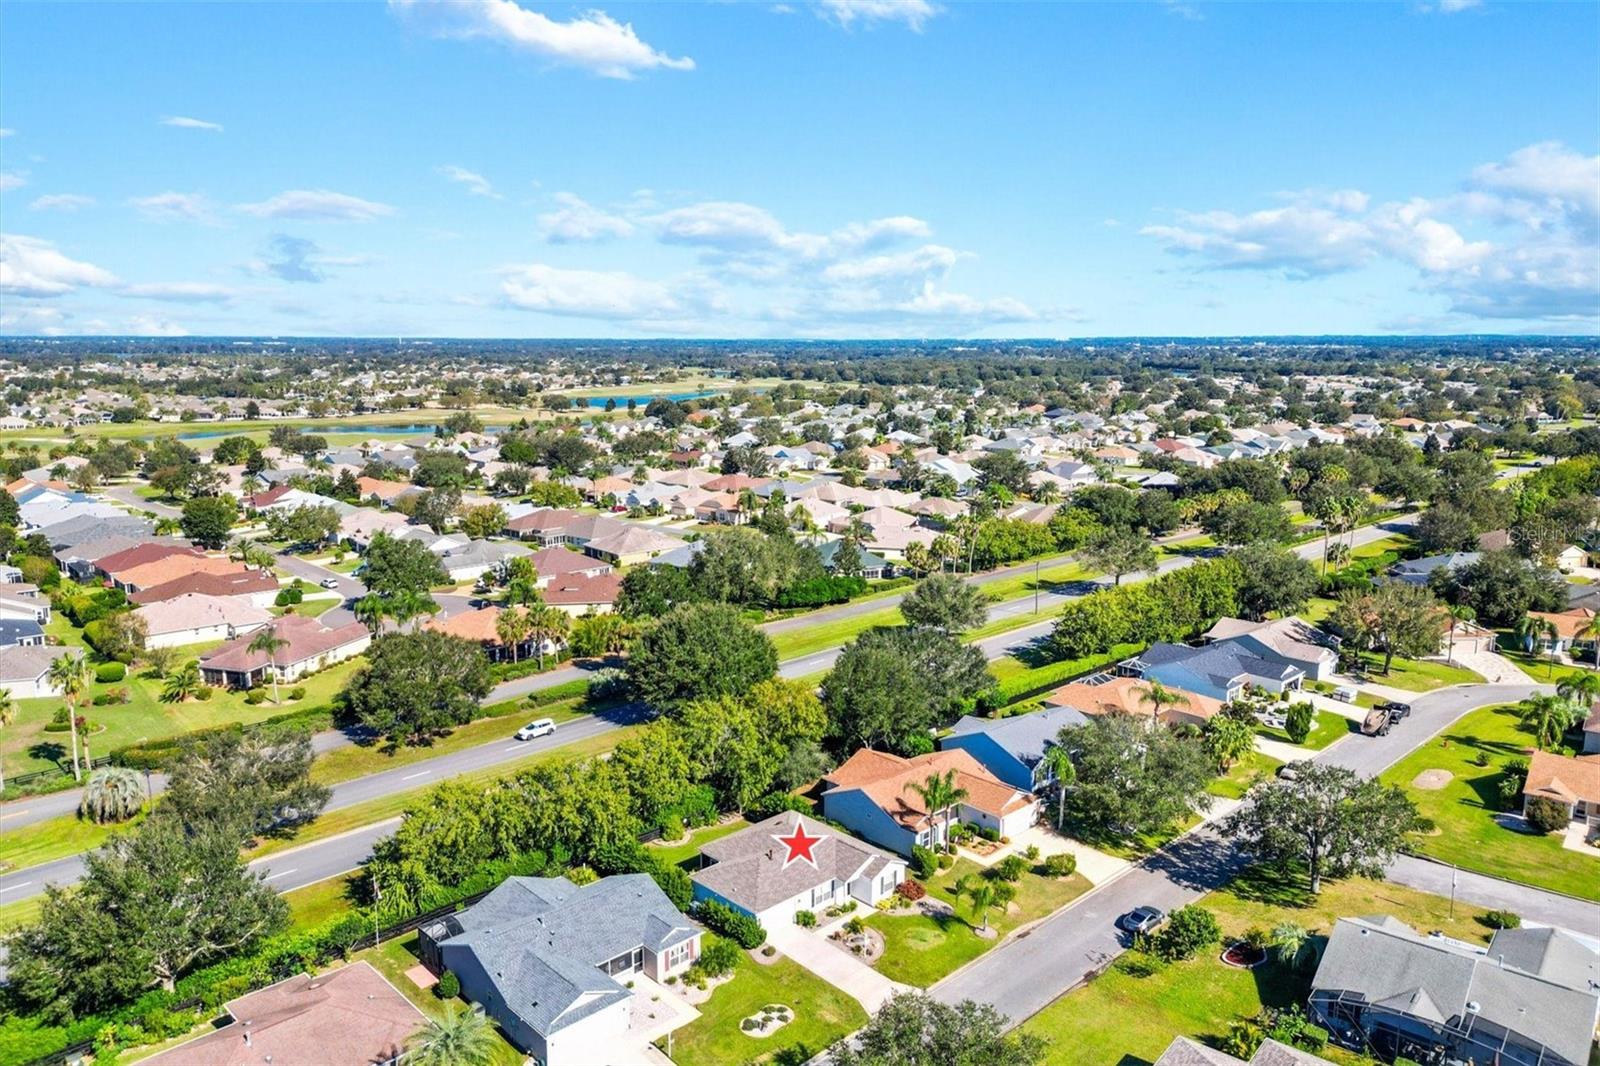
[[750, 865]]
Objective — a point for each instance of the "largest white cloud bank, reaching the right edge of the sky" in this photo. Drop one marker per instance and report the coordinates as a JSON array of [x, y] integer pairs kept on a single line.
[[1519, 241]]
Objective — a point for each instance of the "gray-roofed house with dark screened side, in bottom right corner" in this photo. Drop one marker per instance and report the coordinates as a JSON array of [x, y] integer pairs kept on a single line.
[[1532, 998]]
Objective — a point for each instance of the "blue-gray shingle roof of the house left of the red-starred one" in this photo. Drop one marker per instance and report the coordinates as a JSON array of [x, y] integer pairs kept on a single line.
[[542, 940]]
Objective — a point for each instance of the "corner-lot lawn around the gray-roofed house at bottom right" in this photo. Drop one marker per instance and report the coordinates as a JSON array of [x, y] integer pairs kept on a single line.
[[1130, 1020]]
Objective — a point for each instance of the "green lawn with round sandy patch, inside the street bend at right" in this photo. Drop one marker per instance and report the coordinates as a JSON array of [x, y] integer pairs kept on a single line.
[[1465, 811]]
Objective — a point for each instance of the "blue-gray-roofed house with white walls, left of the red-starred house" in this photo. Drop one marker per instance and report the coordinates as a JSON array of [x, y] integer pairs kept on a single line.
[[551, 963]]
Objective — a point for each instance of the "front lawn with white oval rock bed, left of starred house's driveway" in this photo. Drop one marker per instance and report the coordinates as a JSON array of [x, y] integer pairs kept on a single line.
[[823, 1016]]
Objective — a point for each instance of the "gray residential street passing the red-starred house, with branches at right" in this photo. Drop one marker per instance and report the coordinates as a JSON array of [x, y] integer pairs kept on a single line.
[[1031, 971]]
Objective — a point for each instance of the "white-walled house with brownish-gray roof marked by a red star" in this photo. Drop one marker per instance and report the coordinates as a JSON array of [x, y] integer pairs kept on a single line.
[[750, 873]]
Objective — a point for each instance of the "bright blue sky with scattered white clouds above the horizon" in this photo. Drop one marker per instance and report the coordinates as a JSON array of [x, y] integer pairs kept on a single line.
[[807, 169]]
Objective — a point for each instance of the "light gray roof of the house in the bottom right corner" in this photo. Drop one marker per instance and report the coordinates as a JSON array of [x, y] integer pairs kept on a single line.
[[1447, 982]]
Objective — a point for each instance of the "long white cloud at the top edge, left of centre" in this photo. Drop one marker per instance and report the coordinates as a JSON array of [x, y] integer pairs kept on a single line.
[[593, 41]]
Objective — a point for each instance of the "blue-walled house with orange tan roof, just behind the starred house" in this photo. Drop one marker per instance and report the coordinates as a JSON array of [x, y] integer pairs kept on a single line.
[[873, 796]]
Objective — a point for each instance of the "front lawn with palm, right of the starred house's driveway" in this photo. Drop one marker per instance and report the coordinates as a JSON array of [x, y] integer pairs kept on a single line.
[[921, 950]]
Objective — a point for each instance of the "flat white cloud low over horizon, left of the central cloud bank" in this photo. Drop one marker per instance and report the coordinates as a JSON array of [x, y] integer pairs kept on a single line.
[[607, 295]]
